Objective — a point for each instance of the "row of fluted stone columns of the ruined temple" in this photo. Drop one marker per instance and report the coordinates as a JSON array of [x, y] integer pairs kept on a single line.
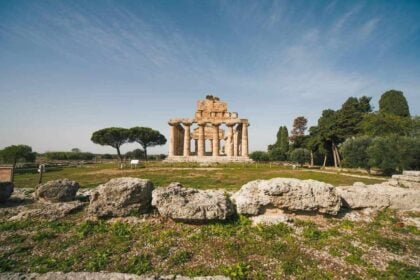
[[236, 143]]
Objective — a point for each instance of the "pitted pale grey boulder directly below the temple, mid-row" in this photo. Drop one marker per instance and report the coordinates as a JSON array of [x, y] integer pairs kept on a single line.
[[192, 205]]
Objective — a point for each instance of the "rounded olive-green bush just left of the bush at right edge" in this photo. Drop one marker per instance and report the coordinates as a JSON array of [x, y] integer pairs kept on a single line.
[[354, 152]]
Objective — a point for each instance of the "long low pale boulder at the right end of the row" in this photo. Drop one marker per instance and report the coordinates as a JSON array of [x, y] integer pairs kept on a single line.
[[379, 196]]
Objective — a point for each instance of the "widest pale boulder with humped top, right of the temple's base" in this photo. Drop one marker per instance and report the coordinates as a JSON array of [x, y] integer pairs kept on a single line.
[[288, 194]]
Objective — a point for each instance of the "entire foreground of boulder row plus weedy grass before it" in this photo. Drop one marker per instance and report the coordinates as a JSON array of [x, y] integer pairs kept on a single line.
[[306, 229]]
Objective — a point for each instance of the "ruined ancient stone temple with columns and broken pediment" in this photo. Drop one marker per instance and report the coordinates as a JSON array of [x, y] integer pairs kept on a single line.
[[213, 135]]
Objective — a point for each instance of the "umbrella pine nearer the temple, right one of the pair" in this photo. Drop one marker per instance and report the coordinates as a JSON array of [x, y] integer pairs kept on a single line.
[[146, 137]]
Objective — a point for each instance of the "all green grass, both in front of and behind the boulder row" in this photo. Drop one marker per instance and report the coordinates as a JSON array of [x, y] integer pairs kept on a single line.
[[233, 248]]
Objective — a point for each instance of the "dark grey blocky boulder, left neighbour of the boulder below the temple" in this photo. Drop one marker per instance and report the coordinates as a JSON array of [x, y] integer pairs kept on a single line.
[[121, 197]]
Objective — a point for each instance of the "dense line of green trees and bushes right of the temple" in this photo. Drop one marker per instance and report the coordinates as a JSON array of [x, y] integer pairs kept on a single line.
[[353, 136]]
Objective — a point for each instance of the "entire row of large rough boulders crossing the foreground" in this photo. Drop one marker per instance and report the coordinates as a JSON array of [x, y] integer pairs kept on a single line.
[[122, 197]]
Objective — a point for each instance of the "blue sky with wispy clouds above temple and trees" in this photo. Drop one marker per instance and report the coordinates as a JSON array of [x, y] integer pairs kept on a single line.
[[68, 68]]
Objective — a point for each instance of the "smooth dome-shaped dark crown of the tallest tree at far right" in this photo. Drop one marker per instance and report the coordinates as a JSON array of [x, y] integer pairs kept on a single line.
[[394, 102]]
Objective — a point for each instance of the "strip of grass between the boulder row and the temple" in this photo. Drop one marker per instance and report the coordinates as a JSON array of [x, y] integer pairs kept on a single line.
[[229, 177]]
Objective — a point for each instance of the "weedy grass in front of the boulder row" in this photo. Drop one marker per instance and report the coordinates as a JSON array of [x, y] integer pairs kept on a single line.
[[335, 249]]
